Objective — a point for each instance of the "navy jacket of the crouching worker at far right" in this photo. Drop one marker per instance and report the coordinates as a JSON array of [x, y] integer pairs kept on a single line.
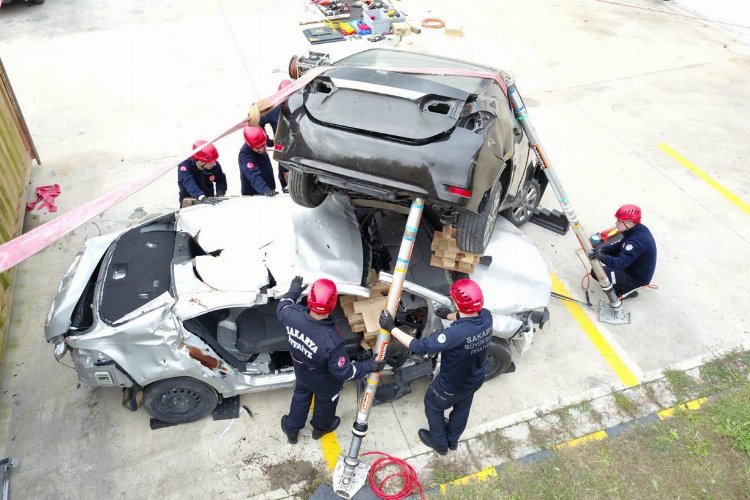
[[635, 254]]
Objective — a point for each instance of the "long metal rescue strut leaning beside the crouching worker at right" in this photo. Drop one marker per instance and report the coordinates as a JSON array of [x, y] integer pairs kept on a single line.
[[608, 313]]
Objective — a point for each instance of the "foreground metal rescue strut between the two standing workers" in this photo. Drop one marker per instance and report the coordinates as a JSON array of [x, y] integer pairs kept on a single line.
[[350, 474]]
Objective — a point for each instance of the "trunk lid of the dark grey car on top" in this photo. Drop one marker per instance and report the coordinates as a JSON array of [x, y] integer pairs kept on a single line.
[[384, 103]]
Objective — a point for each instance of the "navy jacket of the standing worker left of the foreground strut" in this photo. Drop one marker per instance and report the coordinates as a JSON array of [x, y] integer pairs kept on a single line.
[[317, 350]]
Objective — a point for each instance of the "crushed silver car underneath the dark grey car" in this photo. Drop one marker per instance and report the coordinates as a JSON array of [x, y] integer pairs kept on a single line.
[[182, 307]]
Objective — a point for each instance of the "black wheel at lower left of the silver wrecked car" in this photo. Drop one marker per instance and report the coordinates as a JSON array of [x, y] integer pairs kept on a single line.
[[179, 400]]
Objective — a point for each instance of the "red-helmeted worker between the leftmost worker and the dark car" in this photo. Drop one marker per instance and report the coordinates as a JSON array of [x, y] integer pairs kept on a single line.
[[256, 172]]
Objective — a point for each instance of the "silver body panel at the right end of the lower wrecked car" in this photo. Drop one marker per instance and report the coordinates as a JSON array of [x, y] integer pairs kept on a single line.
[[518, 278]]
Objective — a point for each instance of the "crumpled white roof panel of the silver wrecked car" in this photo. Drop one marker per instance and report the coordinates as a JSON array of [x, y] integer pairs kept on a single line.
[[247, 238]]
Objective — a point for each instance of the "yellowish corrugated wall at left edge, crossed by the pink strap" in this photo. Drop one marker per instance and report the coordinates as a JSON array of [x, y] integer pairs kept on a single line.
[[16, 153]]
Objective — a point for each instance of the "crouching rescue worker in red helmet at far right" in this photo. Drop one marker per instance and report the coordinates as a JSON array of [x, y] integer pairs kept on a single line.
[[630, 262]]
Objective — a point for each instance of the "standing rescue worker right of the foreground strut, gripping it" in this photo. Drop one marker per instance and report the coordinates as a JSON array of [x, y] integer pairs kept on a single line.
[[463, 347]]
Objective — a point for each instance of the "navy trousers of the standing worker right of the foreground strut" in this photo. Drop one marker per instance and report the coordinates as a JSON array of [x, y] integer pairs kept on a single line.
[[436, 401]]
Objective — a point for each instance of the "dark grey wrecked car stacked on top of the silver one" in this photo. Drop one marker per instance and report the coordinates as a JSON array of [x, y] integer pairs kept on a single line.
[[375, 132]]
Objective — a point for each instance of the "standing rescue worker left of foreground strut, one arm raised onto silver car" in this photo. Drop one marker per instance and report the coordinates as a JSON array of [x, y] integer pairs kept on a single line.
[[321, 364]]
